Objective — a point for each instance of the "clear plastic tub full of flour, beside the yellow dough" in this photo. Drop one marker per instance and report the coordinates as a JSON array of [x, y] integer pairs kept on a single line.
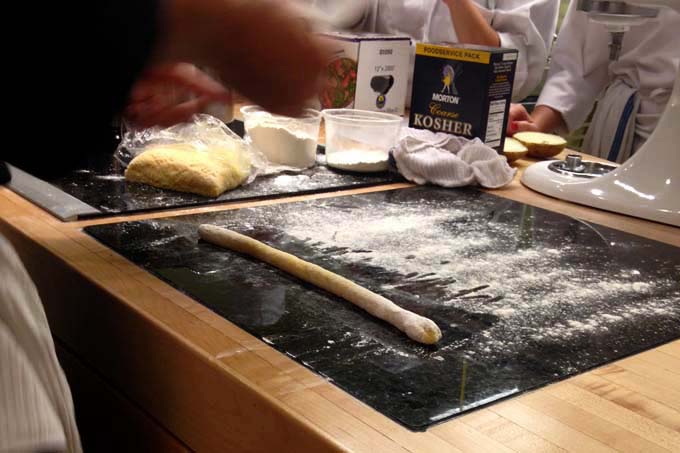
[[284, 141]]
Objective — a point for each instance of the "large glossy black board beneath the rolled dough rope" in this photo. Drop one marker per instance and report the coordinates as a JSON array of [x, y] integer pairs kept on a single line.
[[524, 296]]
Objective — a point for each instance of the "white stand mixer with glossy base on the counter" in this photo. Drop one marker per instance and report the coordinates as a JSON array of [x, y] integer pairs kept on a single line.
[[645, 186]]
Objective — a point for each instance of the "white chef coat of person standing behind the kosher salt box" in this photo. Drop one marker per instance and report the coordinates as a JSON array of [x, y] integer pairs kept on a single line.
[[525, 25]]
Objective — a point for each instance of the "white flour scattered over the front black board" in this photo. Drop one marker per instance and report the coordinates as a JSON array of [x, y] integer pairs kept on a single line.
[[534, 292]]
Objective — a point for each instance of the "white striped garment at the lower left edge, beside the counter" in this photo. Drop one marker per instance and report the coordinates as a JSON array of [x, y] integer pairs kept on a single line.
[[36, 410]]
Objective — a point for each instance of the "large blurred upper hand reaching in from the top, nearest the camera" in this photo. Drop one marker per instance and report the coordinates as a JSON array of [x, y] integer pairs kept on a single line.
[[257, 47]]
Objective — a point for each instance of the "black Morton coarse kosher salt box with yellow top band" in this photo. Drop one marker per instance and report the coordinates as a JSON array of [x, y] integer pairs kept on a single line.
[[463, 90]]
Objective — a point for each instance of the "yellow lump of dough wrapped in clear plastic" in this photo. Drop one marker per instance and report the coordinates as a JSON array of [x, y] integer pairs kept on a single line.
[[183, 168]]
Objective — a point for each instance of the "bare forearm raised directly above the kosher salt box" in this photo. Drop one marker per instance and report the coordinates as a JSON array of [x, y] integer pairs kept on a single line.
[[470, 25]]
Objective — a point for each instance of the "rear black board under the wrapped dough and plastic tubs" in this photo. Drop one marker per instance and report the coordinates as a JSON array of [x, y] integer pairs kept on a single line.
[[99, 187]]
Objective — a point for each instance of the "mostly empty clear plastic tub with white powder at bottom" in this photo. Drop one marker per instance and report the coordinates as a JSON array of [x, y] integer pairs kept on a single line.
[[359, 140]]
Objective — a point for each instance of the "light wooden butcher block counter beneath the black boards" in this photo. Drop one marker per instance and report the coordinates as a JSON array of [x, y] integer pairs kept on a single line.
[[154, 370]]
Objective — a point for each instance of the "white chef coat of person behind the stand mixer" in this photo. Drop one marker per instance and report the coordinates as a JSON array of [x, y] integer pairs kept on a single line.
[[580, 68]]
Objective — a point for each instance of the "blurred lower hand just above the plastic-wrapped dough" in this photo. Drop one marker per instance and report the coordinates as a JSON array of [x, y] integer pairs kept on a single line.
[[171, 93]]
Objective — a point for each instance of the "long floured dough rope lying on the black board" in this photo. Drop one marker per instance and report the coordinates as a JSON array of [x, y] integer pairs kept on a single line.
[[417, 327]]
